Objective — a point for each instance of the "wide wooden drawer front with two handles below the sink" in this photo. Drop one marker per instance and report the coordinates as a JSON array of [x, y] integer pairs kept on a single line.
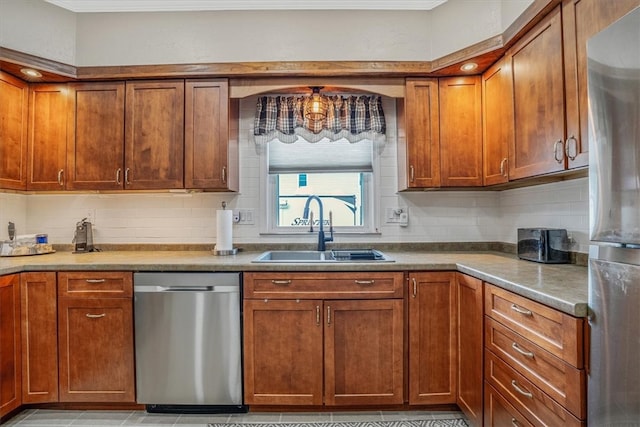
[[365, 285]]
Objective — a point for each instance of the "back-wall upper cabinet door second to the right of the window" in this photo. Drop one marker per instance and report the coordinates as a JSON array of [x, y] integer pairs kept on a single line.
[[460, 131]]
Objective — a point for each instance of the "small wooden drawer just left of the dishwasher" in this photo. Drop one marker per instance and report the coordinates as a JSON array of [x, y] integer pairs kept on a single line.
[[95, 284]]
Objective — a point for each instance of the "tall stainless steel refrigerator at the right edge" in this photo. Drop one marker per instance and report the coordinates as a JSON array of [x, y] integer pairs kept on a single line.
[[613, 387]]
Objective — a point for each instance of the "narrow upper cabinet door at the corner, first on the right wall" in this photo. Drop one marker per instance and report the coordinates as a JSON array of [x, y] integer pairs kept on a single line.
[[497, 125]]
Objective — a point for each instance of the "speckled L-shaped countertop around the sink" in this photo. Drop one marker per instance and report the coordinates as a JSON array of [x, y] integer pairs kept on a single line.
[[563, 287]]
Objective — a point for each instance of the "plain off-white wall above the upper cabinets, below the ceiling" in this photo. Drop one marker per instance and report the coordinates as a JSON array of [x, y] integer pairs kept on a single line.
[[102, 39]]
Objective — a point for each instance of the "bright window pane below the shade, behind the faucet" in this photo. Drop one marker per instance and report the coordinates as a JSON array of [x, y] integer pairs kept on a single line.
[[341, 193]]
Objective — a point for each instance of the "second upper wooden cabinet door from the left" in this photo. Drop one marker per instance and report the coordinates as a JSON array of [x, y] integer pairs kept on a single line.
[[48, 107]]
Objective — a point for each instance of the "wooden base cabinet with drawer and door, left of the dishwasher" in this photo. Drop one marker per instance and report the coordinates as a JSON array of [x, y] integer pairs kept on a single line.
[[95, 317]]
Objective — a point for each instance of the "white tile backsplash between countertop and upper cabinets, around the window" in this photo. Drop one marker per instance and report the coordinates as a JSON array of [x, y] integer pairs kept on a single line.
[[434, 216]]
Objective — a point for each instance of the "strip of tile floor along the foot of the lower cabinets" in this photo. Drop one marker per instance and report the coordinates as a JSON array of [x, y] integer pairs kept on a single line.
[[55, 418]]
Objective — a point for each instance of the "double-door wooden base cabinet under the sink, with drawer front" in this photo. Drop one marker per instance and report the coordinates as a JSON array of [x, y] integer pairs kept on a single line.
[[318, 351]]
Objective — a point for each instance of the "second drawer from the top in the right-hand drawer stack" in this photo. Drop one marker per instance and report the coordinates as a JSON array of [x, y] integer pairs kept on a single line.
[[557, 378]]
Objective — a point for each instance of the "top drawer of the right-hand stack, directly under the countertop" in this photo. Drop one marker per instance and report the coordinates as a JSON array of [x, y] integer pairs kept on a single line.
[[556, 332]]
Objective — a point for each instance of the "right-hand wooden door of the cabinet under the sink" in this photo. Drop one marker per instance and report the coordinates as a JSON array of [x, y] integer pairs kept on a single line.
[[364, 352]]
